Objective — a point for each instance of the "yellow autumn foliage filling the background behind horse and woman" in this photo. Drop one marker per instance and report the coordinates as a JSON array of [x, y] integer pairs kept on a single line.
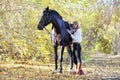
[[19, 19]]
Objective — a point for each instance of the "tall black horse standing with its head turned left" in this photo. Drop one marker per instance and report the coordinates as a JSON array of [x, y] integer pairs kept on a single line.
[[61, 36]]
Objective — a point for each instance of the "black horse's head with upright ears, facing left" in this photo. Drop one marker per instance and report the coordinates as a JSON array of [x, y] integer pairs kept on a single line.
[[45, 19]]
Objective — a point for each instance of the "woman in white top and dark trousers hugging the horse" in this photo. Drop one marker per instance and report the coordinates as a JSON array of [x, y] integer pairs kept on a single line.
[[77, 38]]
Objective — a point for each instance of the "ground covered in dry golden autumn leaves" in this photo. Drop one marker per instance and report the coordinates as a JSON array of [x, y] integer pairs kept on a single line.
[[100, 66]]
